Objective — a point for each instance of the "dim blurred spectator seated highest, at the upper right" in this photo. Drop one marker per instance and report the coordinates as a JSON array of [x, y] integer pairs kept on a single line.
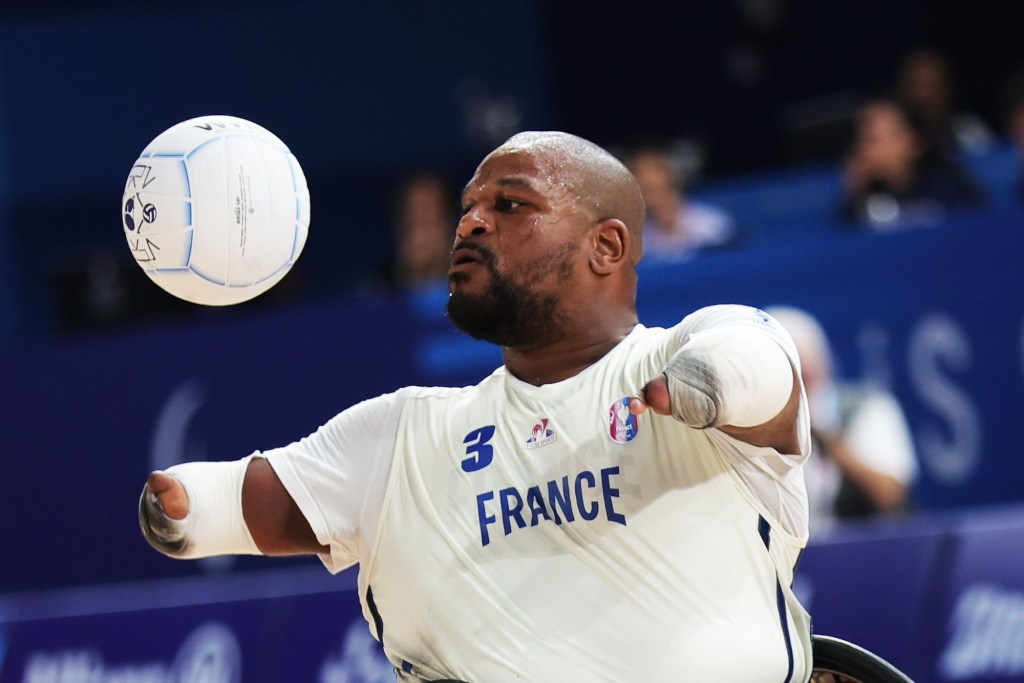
[[925, 87]]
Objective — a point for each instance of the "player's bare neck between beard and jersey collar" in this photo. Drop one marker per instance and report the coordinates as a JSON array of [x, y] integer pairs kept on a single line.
[[568, 356]]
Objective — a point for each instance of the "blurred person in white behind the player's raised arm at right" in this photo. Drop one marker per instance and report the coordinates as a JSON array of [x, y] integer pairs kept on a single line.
[[863, 459]]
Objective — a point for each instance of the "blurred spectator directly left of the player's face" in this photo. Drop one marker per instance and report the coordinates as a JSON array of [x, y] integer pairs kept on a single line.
[[423, 230]]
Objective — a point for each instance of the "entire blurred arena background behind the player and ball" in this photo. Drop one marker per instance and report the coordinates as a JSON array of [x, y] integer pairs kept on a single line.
[[857, 160]]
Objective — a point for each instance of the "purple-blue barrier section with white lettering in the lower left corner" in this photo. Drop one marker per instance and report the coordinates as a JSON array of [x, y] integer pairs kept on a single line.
[[290, 626]]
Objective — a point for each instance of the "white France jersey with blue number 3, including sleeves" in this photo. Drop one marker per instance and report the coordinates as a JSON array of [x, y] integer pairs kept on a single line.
[[507, 532]]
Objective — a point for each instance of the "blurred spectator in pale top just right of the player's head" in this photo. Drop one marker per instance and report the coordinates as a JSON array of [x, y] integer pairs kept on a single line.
[[677, 227]]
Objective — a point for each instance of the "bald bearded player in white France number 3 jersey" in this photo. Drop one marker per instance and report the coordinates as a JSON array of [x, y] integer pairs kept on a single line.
[[615, 503]]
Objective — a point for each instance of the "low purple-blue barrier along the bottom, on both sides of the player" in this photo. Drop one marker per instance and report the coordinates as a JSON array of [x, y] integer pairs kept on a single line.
[[942, 597]]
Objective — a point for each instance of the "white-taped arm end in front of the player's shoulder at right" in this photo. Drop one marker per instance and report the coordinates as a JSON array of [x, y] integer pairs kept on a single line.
[[729, 375]]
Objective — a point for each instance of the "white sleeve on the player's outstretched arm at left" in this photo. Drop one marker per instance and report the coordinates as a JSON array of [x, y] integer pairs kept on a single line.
[[337, 476]]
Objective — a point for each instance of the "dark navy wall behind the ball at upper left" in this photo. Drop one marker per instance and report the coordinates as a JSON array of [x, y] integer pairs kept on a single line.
[[362, 93]]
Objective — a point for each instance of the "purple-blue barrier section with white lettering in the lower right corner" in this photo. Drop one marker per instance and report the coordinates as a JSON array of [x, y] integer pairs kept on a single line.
[[942, 597]]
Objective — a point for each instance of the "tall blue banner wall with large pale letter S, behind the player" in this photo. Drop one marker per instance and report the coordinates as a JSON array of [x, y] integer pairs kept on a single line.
[[936, 315]]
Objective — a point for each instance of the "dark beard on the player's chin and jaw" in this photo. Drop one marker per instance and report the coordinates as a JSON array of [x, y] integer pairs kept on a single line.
[[508, 313]]
